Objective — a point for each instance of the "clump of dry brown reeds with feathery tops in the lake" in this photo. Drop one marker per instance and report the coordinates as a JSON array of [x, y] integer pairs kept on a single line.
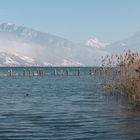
[[121, 74]]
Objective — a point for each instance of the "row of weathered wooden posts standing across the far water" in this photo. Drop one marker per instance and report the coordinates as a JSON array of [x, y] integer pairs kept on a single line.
[[42, 72]]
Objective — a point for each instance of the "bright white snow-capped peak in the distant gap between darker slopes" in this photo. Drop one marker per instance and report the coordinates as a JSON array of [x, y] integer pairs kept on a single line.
[[95, 43]]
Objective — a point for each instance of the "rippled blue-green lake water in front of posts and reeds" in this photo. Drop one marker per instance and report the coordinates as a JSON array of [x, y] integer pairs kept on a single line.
[[63, 108]]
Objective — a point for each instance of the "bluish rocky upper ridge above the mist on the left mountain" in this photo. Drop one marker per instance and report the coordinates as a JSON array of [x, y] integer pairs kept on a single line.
[[31, 35]]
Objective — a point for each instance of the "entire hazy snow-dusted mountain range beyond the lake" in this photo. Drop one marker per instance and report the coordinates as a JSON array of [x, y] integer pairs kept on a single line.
[[22, 46]]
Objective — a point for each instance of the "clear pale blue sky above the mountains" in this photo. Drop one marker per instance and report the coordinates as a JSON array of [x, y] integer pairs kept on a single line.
[[76, 20]]
